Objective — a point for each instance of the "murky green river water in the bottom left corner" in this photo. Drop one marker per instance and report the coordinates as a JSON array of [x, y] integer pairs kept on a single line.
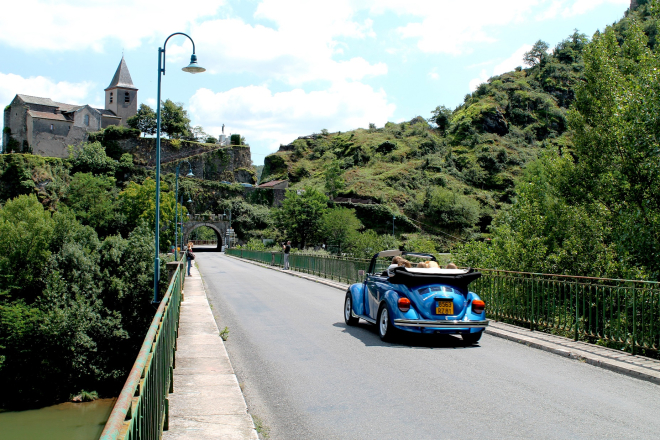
[[66, 421]]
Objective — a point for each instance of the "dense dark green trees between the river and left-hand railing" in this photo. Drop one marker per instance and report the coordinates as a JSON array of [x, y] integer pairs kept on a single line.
[[73, 309]]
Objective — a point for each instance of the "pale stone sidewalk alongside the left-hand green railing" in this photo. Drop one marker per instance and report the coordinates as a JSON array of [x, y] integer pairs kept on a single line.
[[207, 402]]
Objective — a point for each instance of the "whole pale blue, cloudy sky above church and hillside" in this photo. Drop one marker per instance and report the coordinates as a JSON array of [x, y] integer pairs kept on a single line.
[[279, 69]]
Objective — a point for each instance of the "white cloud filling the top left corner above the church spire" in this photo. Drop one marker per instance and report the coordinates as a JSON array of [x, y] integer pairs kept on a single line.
[[84, 24]]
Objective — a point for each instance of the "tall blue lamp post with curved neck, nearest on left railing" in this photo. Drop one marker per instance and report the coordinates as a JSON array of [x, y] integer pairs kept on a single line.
[[191, 68]]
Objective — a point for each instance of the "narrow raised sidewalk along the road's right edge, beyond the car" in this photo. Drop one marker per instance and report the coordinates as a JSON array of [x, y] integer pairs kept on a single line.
[[616, 360]]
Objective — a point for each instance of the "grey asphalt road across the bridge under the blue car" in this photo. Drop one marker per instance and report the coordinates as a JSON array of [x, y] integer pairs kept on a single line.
[[306, 375]]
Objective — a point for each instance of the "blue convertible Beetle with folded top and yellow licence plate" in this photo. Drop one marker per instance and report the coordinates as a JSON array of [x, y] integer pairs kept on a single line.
[[420, 300]]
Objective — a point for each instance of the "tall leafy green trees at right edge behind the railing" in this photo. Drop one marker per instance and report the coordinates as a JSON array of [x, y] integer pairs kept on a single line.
[[594, 207]]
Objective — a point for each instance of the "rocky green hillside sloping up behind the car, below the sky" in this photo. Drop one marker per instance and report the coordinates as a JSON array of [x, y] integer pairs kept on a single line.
[[451, 172]]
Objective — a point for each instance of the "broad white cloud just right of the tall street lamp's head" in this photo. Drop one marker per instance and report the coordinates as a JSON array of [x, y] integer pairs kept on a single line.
[[300, 49]]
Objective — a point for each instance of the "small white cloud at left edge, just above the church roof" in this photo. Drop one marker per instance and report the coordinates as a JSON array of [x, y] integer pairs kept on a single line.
[[62, 91]]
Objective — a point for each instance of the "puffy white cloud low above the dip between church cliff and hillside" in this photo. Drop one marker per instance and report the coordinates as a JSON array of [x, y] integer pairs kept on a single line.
[[269, 119]]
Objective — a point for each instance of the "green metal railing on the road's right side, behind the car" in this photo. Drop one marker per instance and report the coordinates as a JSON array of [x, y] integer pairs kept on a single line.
[[618, 313]]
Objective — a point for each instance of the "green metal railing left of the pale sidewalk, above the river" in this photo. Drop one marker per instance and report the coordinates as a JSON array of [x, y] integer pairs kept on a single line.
[[142, 409]]
